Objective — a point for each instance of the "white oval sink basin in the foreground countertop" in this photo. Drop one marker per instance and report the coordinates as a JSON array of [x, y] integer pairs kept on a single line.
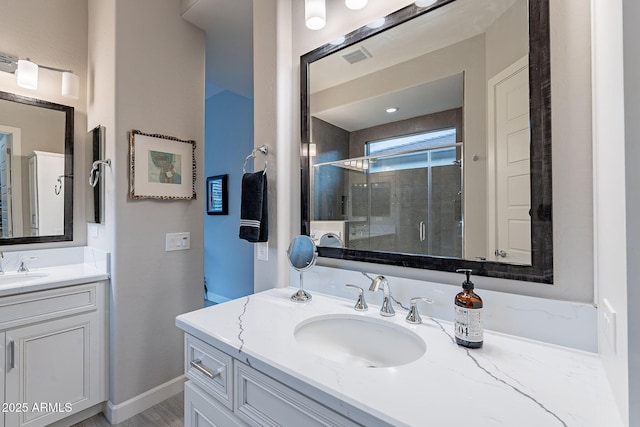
[[359, 341]]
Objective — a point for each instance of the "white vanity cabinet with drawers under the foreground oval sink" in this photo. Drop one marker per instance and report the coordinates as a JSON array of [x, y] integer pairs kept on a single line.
[[226, 392]]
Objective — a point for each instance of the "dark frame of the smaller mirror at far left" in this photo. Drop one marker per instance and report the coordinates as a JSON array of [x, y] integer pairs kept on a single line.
[[68, 171]]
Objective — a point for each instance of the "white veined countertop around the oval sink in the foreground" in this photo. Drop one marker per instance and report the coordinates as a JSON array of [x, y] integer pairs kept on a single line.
[[510, 381]]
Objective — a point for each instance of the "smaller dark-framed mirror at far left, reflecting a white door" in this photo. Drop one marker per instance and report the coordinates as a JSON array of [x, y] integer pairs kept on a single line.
[[36, 170]]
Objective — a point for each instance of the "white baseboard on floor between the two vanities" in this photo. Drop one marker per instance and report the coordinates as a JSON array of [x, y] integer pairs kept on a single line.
[[127, 409]]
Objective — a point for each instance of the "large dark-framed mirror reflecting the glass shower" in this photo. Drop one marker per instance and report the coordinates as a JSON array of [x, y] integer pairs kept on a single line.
[[426, 142]]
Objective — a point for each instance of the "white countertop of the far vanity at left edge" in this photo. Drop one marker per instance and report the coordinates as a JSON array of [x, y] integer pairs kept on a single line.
[[38, 279]]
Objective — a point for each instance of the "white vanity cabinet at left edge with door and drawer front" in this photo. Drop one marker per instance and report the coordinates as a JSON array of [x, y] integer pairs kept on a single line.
[[54, 353]]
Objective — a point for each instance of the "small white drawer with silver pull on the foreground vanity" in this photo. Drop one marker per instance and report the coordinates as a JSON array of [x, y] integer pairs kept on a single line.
[[209, 368]]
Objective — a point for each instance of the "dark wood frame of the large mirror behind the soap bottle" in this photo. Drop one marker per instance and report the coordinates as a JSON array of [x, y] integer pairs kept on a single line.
[[541, 268]]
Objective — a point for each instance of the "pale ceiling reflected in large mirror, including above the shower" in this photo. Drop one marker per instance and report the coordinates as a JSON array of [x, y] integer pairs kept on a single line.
[[457, 21]]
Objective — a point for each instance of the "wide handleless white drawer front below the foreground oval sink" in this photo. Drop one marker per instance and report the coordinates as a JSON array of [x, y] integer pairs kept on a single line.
[[263, 401]]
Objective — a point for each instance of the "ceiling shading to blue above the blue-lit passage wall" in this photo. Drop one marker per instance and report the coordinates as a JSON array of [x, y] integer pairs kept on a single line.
[[229, 43]]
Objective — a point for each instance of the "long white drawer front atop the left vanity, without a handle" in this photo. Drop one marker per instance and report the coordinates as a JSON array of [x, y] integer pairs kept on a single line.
[[38, 306]]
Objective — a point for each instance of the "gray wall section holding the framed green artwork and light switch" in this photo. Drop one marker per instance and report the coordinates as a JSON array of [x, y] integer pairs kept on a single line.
[[134, 86]]
